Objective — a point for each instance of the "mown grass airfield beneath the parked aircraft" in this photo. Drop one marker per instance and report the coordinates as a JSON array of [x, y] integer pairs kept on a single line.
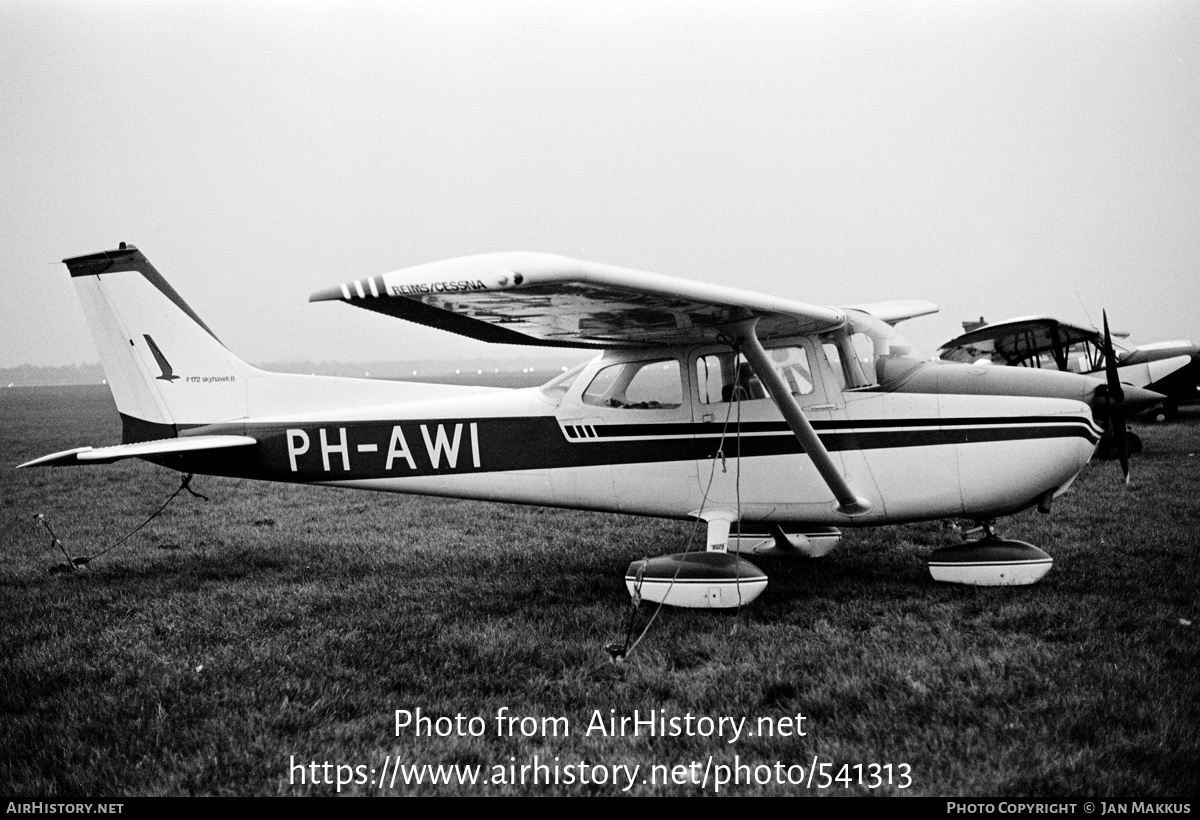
[[277, 625]]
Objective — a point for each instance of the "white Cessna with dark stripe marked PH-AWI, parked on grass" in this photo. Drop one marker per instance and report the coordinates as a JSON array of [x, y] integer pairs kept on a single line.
[[731, 408]]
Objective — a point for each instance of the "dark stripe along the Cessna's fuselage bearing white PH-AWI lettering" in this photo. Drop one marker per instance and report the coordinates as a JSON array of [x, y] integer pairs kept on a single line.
[[353, 451]]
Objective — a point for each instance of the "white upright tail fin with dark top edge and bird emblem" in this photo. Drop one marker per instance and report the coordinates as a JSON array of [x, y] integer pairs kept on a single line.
[[166, 369]]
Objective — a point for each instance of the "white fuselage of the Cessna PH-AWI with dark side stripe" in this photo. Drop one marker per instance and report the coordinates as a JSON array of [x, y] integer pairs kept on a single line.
[[681, 433]]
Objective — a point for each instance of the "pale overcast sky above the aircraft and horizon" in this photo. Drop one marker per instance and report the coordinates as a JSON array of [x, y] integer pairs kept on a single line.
[[999, 159]]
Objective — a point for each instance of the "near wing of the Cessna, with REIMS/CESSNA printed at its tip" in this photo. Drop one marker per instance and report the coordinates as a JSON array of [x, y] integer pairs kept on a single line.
[[554, 301]]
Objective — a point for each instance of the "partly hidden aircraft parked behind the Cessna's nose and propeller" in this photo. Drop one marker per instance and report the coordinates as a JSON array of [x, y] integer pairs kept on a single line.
[[1172, 369]]
